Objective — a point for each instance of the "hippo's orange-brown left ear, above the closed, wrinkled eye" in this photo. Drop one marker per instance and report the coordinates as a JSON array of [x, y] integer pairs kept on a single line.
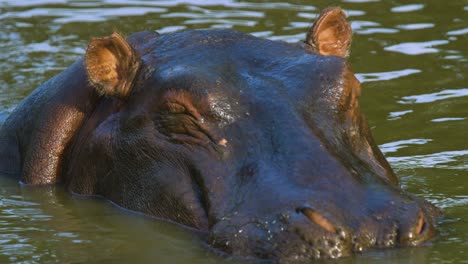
[[111, 64]]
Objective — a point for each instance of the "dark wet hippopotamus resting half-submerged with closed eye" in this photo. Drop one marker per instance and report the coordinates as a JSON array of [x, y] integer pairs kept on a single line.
[[259, 146]]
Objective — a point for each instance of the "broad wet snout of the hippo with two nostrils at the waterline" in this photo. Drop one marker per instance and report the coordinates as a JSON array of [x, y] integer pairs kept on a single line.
[[318, 228]]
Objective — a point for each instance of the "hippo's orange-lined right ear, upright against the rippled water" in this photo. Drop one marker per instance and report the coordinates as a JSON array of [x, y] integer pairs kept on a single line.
[[331, 33]]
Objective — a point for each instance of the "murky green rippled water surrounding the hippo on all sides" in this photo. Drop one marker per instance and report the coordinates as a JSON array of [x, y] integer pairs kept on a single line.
[[412, 57]]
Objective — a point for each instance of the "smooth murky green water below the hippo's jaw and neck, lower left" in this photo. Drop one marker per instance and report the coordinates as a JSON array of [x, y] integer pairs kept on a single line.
[[47, 225]]
